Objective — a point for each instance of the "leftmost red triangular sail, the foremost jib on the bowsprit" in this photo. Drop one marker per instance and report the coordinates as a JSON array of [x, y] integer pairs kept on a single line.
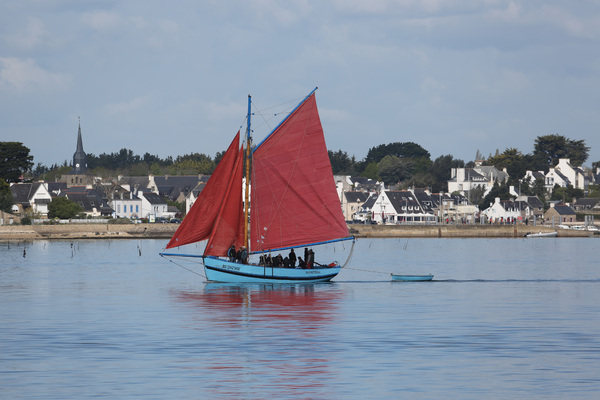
[[199, 221]]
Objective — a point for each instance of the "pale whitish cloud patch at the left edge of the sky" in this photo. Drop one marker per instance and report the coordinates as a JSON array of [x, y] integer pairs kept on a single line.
[[26, 75]]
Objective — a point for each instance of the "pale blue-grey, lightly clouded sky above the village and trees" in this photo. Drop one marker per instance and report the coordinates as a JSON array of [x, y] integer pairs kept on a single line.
[[173, 78]]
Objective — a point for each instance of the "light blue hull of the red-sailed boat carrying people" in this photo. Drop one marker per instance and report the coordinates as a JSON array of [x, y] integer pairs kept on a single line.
[[219, 270]]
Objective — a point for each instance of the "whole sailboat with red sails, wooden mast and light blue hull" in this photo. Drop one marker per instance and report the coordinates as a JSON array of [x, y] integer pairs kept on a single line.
[[294, 204]]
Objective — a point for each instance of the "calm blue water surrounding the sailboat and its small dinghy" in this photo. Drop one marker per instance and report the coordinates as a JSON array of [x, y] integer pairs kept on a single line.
[[504, 318]]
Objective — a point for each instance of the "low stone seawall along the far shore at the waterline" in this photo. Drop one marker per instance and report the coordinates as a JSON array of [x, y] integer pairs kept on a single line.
[[165, 231]]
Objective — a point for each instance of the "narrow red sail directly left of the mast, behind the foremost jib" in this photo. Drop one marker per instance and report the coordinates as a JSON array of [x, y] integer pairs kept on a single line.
[[229, 225]]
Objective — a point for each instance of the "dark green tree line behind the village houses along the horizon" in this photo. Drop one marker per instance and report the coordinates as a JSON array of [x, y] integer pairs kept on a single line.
[[399, 165]]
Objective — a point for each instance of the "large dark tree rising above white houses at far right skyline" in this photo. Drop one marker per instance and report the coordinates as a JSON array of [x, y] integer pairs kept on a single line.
[[550, 148]]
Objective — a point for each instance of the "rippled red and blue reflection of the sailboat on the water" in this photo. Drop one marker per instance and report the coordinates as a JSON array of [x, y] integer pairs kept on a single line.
[[257, 337]]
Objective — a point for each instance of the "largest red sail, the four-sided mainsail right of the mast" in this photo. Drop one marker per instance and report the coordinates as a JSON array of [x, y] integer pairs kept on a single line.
[[294, 198]]
